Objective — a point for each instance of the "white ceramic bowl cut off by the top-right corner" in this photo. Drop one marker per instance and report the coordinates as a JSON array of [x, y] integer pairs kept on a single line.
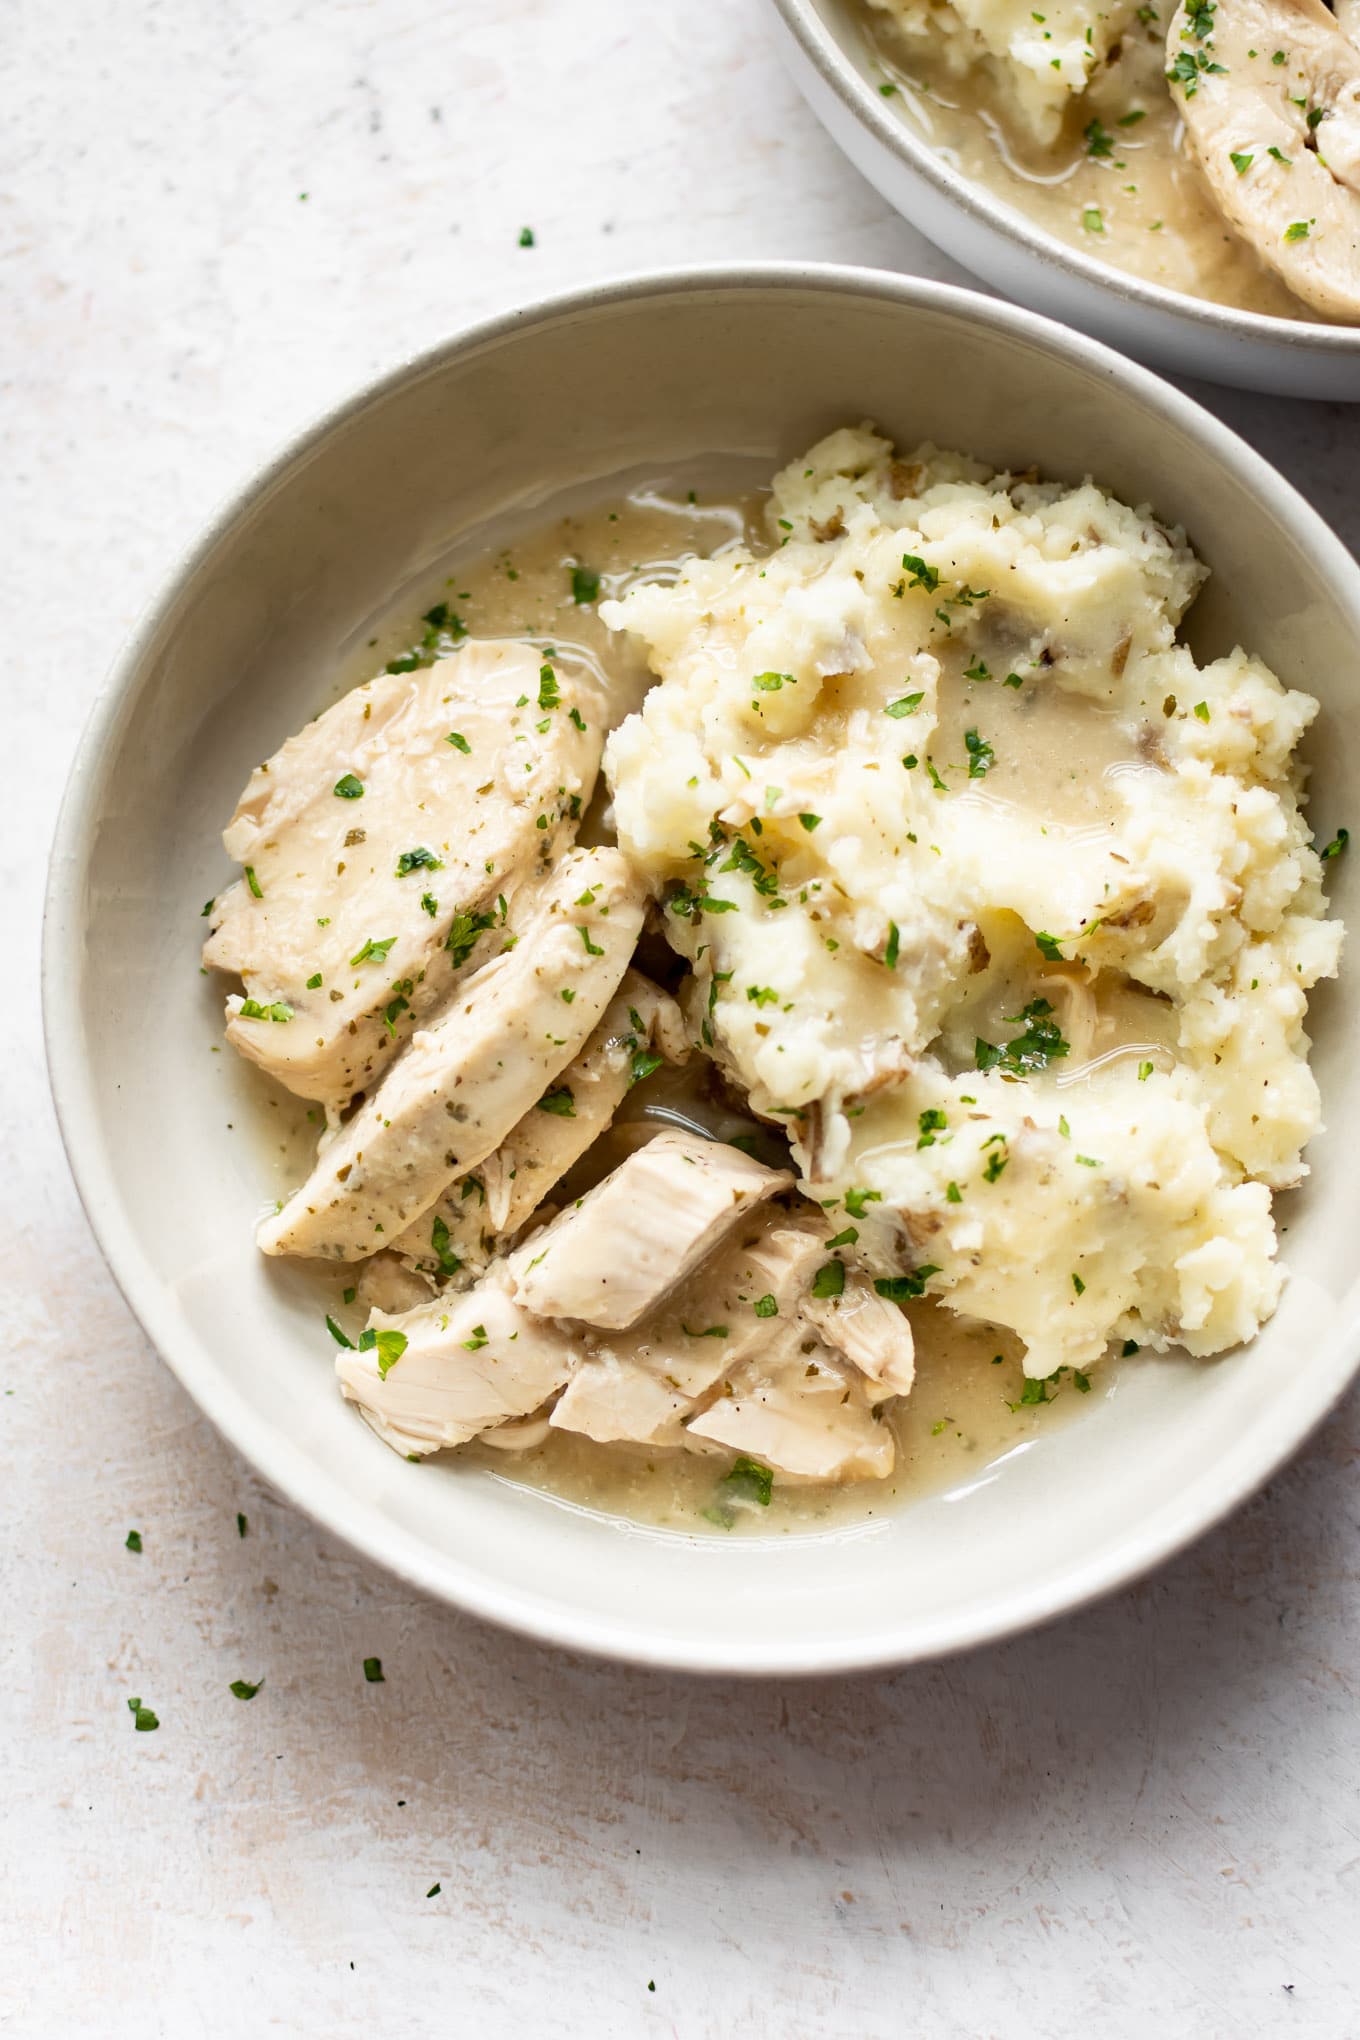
[[835, 68]]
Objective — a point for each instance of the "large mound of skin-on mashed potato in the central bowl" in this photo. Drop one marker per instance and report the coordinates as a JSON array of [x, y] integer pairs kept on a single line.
[[996, 901]]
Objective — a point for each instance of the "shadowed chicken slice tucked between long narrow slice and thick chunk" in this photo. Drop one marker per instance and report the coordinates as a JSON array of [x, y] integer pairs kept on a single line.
[[478, 1215]]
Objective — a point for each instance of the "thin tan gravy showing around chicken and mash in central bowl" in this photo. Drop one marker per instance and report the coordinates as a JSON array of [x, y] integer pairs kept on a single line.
[[965, 1411]]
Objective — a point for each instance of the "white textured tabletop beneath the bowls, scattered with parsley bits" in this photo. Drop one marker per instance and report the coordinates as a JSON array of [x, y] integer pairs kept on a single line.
[[217, 217]]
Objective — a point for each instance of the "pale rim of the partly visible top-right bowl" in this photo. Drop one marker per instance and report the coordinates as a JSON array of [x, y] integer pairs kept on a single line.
[[806, 23]]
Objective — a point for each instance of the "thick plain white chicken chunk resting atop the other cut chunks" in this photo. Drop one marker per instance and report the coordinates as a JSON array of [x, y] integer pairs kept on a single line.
[[639, 1233]]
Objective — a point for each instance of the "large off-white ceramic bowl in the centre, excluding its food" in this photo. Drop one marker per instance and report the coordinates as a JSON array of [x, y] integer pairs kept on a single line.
[[244, 646]]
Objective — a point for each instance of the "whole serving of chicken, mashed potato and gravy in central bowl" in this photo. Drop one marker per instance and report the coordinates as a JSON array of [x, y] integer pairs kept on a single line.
[[792, 988]]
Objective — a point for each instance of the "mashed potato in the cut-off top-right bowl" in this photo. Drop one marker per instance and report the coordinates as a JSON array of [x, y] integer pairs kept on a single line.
[[1043, 60]]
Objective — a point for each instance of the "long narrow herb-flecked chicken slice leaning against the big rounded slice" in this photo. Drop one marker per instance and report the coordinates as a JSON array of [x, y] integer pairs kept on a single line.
[[462, 1084]]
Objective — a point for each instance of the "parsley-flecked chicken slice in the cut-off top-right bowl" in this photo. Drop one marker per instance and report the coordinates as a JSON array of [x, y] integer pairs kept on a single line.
[[1271, 103]]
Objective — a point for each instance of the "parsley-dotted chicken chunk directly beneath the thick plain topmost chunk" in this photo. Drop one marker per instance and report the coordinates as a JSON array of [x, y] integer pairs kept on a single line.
[[637, 1386]]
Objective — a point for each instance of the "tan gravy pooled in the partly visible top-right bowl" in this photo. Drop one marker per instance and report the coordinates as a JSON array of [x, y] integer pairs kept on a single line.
[[1141, 207]]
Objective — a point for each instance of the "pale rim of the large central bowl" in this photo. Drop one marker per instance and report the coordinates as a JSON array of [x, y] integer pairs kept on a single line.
[[286, 1466]]
